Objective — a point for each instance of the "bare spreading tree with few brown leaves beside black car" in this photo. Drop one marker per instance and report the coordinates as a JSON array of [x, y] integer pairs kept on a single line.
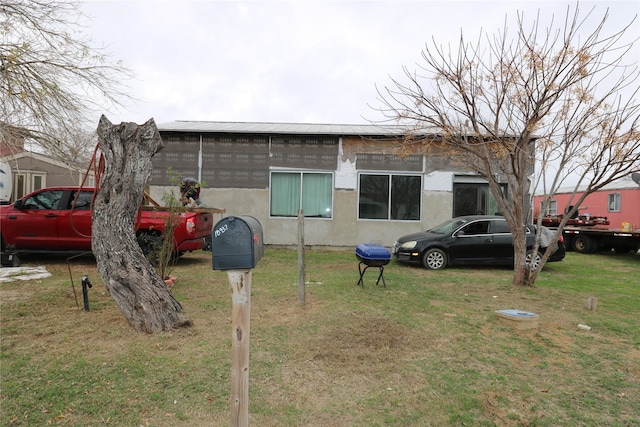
[[557, 95]]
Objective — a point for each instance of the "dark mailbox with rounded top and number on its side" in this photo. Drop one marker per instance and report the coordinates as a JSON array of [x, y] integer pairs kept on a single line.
[[236, 243]]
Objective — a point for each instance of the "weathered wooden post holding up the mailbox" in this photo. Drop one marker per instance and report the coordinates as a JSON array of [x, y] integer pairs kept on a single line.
[[240, 281]]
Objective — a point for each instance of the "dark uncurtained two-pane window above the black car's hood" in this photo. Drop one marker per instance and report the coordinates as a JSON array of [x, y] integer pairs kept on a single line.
[[395, 197]]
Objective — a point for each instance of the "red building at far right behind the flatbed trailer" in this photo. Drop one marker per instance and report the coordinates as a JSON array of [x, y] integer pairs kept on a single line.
[[619, 201]]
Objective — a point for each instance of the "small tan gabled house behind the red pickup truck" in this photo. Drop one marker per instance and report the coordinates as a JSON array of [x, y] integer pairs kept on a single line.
[[32, 171]]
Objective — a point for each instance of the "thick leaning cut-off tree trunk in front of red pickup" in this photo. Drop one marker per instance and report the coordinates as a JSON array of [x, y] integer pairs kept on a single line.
[[141, 295]]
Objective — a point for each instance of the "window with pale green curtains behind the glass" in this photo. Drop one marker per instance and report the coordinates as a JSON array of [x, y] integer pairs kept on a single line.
[[309, 191]]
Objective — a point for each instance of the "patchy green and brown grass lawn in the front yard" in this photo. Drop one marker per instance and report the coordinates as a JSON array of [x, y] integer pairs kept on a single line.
[[426, 350]]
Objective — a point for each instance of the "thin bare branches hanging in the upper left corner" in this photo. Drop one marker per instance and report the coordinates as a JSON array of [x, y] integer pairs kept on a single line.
[[51, 78]]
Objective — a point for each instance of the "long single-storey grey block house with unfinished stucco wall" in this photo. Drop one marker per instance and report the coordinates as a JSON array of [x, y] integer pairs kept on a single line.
[[349, 180]]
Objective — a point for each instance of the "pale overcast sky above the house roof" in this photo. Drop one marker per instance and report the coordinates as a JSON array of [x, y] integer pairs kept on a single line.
[[297, 62]]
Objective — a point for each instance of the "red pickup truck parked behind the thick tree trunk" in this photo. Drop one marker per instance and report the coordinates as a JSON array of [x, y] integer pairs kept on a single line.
[[58, 219]]
